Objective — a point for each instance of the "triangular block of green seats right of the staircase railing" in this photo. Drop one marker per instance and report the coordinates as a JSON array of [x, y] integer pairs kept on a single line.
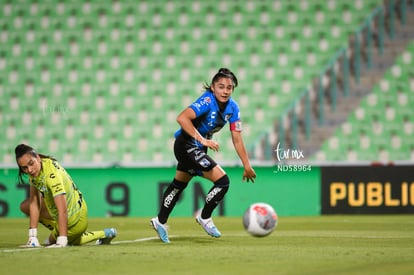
[[381, 128]]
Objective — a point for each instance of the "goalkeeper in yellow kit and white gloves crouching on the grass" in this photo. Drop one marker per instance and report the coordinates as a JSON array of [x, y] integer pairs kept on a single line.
[[55, 201]]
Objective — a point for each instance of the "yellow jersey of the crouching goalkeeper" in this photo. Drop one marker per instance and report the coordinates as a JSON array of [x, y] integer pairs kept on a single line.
[[52, 181]]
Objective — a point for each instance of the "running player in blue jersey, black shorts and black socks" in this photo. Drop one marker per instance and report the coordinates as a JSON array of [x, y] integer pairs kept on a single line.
[[204, 117]]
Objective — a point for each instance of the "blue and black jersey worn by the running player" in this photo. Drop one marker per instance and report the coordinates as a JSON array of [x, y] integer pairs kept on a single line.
[[210, 118]]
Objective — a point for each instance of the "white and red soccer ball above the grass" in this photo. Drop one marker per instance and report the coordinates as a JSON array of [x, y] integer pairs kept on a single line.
[[260, 219]]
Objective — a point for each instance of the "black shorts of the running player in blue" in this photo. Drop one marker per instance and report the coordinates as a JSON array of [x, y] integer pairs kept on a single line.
[[191, 158]]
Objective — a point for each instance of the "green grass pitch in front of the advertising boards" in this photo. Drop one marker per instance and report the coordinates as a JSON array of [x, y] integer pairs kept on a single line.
[[299, 245]]
